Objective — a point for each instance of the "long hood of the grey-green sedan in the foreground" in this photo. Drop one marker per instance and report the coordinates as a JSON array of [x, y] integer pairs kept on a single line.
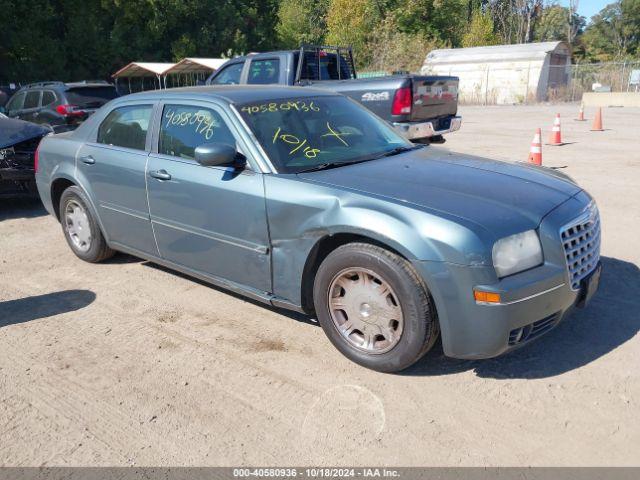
[[504, 198]]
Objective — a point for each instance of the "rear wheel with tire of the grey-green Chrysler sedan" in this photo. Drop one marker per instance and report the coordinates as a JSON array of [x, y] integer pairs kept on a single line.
[[81, 228]]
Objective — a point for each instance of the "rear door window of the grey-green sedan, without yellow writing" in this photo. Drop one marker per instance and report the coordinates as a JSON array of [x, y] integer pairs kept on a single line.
[[126, 127]]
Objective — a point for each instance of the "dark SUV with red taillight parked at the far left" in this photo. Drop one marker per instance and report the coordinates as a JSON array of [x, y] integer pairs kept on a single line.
[[63, 106]]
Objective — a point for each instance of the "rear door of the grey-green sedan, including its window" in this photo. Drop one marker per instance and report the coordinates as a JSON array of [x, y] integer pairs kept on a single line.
[[114, 167]]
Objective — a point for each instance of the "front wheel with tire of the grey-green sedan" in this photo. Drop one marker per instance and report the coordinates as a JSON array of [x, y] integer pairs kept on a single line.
[[374, 307]]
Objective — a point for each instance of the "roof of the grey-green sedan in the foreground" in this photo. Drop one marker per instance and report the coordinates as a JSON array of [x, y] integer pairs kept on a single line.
[[230, 93]]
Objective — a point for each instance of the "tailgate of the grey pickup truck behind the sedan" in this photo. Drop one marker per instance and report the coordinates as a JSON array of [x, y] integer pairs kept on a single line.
[[434, 97]]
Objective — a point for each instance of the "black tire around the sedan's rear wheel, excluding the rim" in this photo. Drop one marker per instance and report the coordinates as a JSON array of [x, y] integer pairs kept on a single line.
[[98, 250]]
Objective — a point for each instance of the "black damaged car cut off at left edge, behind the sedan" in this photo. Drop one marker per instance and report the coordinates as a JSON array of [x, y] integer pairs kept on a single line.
[[18, 143]]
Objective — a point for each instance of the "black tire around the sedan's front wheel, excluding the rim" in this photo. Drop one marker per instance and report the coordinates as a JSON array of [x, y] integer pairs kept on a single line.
[[420, 324]]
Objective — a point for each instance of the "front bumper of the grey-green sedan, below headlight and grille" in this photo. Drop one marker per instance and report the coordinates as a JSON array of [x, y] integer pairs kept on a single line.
[[532, 302]]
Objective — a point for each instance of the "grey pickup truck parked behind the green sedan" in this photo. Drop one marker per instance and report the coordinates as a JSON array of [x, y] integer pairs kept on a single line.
[[421, 108]]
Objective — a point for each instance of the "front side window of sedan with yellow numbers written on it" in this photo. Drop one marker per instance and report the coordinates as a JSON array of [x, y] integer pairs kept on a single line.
[[185, 127]]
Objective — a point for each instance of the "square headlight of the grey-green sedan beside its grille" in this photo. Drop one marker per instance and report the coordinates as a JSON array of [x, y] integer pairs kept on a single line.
[[517, 253]]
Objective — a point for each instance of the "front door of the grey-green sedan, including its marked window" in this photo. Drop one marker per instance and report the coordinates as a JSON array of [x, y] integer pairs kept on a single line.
[[209, 219]]
